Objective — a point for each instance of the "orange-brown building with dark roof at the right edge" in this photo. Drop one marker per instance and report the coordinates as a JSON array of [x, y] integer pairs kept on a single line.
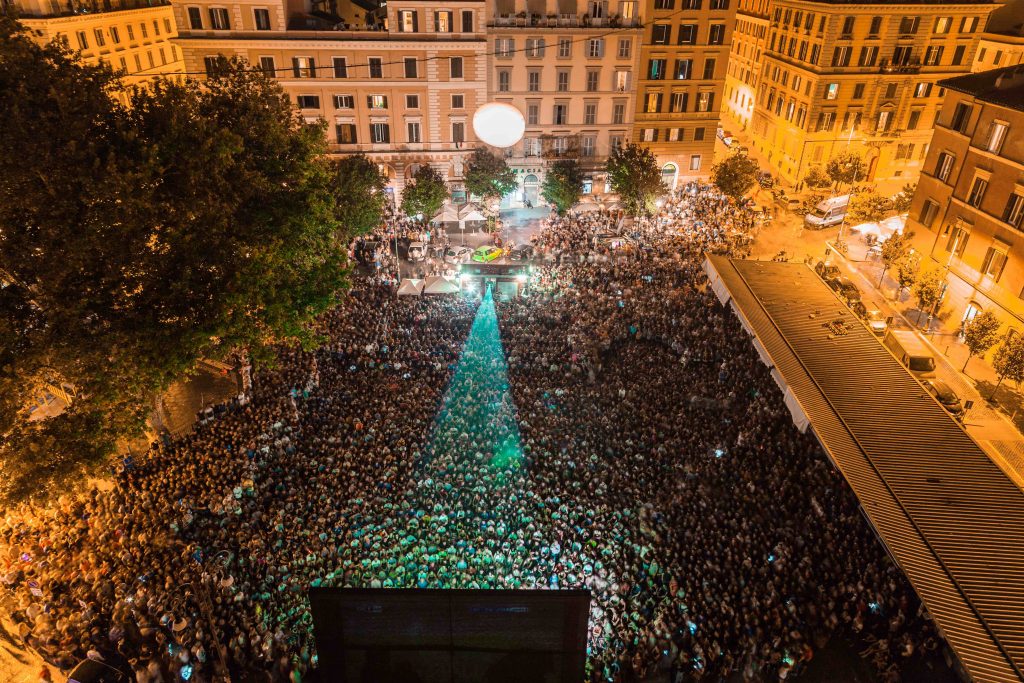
[[968, 212]]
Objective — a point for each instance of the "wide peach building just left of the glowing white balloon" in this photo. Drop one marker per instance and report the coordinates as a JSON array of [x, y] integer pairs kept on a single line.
[[400, 82]]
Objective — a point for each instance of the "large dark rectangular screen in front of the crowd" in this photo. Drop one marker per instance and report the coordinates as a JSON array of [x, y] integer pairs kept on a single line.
[[436, 636]]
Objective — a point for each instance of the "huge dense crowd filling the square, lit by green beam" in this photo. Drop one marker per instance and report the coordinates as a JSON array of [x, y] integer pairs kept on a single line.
[[614, 431]]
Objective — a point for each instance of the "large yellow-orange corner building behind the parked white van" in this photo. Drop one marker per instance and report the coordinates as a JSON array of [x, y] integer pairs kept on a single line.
[[860, 77]]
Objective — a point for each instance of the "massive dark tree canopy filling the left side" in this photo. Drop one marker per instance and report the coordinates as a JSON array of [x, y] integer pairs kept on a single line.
[[136, 241]]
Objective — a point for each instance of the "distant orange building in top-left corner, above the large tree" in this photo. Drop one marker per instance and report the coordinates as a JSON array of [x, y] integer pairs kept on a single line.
[[134, 36]]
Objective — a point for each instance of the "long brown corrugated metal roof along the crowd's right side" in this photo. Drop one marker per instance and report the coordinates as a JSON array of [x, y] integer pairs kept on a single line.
[[950, 518]]
